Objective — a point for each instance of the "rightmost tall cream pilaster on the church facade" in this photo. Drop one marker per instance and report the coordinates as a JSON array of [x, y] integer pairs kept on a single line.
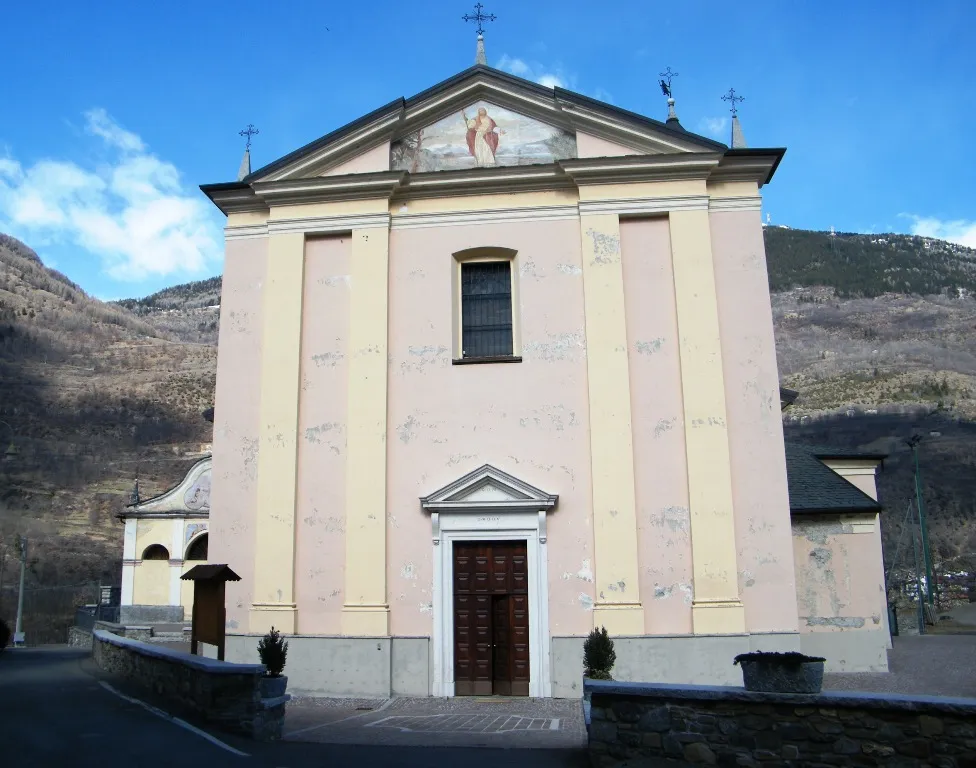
[[716, 608]]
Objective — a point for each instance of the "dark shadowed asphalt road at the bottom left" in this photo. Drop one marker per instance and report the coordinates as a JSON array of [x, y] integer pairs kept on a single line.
[[54, 711]]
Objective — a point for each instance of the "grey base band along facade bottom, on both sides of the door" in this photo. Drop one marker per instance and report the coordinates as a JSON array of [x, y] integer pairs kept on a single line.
[[379, 667]]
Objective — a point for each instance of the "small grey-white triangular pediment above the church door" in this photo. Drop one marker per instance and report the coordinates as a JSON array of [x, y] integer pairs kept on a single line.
[[489, 488]]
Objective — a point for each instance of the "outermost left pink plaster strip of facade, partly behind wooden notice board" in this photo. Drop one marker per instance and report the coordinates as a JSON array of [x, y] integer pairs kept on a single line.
[[233, 493]]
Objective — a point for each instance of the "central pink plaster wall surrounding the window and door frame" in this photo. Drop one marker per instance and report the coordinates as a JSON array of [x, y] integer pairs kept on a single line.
[[528, 419]]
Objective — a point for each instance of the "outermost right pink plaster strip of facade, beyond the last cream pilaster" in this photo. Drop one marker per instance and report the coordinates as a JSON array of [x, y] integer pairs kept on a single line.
[[759, 490]]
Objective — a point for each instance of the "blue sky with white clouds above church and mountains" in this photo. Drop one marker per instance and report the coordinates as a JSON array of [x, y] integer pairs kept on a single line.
[[112, 113]]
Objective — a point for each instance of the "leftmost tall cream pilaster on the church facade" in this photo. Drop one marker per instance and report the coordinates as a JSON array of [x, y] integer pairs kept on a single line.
[[274, 558]]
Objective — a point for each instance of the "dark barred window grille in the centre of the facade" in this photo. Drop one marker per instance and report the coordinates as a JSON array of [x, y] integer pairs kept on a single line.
[[486, 309]]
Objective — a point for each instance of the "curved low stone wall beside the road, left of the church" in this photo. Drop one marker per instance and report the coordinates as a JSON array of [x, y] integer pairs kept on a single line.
[[219, 692]]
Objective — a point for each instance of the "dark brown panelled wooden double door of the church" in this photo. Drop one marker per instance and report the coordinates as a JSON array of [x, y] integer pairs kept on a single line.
[[491, 618]]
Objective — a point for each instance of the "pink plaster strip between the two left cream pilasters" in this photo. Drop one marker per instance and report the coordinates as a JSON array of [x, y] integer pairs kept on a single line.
[[320, 497]]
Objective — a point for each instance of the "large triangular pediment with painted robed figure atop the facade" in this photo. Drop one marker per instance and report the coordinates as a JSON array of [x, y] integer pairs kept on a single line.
[[434, 131]]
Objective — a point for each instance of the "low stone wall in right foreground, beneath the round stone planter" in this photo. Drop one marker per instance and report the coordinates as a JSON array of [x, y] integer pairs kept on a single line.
[[714, 725]]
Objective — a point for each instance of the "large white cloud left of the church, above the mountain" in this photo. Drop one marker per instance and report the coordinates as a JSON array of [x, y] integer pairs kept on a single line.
[[132, 212]]
